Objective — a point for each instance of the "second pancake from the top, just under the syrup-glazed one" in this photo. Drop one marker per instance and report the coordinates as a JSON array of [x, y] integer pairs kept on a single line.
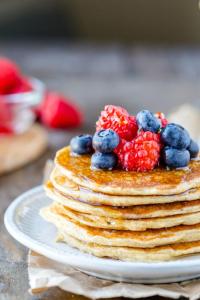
[[69, 188]]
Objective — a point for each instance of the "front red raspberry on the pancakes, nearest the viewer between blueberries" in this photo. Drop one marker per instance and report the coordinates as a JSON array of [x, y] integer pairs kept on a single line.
[[143, 153]]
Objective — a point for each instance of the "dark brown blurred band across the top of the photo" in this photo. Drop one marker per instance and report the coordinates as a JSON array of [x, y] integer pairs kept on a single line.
[[129, 21]]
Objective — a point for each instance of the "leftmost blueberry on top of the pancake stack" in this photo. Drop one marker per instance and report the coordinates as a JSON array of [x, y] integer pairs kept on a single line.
[[81, 144]]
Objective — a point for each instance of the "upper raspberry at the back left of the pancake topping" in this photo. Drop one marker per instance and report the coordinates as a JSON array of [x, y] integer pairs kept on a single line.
[[118, 119]]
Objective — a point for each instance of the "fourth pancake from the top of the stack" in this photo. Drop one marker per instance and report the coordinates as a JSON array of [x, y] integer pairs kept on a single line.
[[123, 224]]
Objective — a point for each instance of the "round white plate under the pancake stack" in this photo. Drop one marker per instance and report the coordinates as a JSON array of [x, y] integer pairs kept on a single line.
[[23, 222]]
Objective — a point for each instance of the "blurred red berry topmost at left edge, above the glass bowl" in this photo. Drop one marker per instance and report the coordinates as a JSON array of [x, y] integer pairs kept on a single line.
[[9, 75]]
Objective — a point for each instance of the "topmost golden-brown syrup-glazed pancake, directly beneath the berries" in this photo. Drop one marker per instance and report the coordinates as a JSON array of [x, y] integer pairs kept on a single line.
[[119, 182]]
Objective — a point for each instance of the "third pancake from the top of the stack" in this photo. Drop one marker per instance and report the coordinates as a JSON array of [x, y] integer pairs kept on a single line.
[[131, 212]]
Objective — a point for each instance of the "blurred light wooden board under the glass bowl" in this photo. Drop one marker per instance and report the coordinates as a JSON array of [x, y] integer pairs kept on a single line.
[[18, 150]]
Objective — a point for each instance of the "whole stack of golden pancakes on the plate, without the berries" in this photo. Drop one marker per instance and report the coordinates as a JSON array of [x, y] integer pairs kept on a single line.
[[151, 216]]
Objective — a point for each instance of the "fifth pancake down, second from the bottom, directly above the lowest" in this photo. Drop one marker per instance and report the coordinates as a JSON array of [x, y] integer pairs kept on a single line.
[[137, 239]]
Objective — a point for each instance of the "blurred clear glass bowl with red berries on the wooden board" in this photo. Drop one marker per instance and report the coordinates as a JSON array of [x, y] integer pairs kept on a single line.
[[16, 110]]
